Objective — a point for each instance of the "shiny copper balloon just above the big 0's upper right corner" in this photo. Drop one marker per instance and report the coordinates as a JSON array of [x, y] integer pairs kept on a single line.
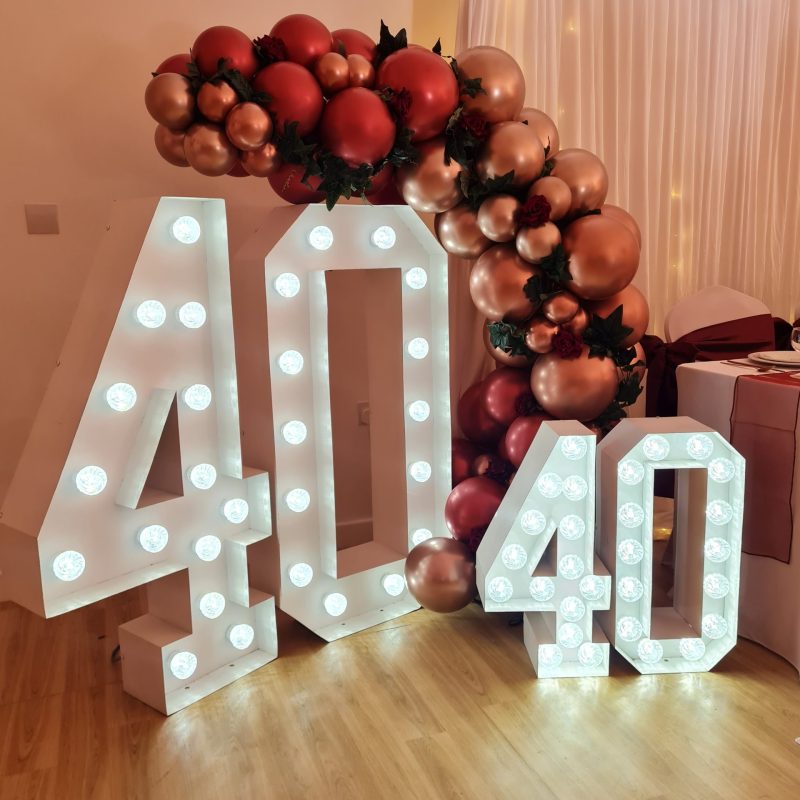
[[430, 185]]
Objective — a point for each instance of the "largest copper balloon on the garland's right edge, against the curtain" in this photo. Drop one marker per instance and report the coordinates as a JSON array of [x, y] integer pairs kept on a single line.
[[603, 256]]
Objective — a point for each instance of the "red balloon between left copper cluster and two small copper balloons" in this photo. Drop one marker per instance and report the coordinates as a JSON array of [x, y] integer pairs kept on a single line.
[[295, 95]]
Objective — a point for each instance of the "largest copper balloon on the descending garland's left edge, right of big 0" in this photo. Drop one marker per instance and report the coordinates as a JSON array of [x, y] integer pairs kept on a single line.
[[497, 283]]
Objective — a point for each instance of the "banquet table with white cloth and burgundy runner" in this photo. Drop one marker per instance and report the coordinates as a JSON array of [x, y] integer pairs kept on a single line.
[[769, 601]]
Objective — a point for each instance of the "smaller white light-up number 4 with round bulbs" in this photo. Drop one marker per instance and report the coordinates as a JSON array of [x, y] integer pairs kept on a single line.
[[551, 499]]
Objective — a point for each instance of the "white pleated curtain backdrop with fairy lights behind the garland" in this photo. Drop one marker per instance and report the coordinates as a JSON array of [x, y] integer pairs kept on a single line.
[[694, 106]]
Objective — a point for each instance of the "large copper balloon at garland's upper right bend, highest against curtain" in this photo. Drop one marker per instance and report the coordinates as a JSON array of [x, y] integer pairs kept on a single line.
[[501, 79]]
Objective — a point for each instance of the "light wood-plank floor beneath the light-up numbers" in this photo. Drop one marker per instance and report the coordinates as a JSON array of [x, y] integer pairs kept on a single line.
[[427, 706]]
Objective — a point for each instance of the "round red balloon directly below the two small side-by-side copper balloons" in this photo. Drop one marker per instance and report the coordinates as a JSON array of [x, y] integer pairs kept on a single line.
[[357, 126]]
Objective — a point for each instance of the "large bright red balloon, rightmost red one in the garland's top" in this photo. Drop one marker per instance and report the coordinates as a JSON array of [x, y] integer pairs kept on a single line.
[[433, 88]]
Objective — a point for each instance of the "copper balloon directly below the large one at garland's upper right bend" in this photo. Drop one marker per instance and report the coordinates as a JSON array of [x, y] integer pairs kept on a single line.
[[511, 146]]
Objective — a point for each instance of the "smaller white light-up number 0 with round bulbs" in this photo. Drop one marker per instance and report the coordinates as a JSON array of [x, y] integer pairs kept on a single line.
[[699, 628]]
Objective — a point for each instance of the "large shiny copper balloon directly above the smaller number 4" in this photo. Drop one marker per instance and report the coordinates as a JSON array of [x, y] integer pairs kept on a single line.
[[574, 388]]
